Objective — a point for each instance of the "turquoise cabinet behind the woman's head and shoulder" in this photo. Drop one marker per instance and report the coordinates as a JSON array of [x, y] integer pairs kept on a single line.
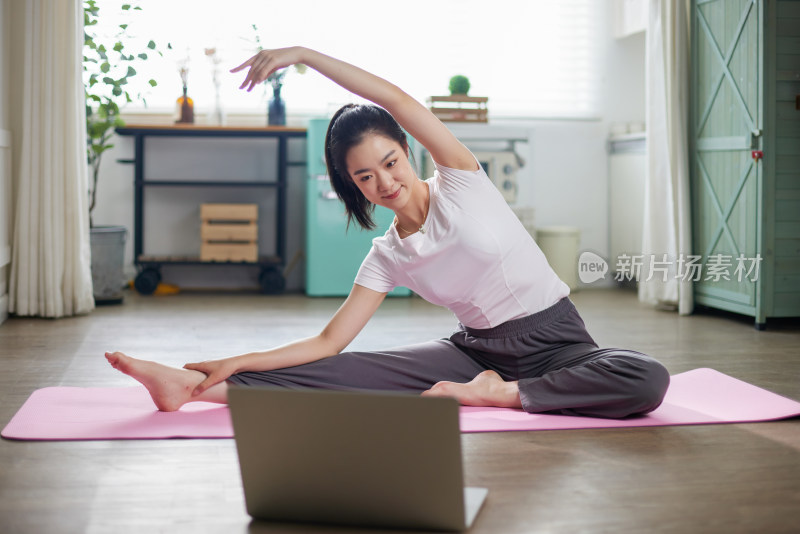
[[333, 252]]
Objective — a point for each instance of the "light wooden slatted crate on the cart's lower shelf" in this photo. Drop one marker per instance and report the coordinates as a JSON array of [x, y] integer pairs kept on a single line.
[[229, 232]]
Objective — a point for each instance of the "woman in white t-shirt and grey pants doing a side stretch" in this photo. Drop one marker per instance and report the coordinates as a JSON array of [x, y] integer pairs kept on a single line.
[[455, 242]]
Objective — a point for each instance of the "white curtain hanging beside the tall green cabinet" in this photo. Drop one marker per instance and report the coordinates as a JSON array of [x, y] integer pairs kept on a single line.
[[666, 234]]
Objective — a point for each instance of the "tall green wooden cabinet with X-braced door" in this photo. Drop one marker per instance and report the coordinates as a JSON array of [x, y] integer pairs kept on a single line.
[[745, 155]]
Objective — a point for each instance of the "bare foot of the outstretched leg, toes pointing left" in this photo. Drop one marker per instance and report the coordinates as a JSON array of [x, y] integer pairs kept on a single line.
[[170, 388]]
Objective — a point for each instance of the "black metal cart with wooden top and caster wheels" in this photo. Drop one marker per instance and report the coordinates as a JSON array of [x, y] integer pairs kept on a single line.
[[271, 279]]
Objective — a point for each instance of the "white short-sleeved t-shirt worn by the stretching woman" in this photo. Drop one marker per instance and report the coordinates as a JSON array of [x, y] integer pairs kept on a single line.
[[474, 258]]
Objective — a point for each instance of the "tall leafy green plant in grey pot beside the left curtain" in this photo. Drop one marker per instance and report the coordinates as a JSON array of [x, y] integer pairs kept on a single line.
[[108, 64]]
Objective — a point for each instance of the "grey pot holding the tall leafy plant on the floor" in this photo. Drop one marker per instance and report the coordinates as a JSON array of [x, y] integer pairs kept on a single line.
[[108, 261]]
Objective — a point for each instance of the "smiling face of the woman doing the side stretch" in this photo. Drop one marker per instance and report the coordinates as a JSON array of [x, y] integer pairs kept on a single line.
[[380, 168]]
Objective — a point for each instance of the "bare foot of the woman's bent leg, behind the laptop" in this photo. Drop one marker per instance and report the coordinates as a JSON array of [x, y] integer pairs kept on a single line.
[[486, 389]]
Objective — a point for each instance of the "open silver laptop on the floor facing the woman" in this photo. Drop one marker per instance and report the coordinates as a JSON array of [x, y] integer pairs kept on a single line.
[[372, 459]]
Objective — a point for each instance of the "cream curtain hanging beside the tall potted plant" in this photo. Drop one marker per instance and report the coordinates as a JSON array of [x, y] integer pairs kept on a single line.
[[50, 258]]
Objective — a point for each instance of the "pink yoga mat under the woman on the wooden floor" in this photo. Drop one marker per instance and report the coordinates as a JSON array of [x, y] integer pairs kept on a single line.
[[701, 396]]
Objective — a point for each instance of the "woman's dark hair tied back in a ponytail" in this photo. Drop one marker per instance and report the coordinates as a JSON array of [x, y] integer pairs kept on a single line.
[[348, 127]]
